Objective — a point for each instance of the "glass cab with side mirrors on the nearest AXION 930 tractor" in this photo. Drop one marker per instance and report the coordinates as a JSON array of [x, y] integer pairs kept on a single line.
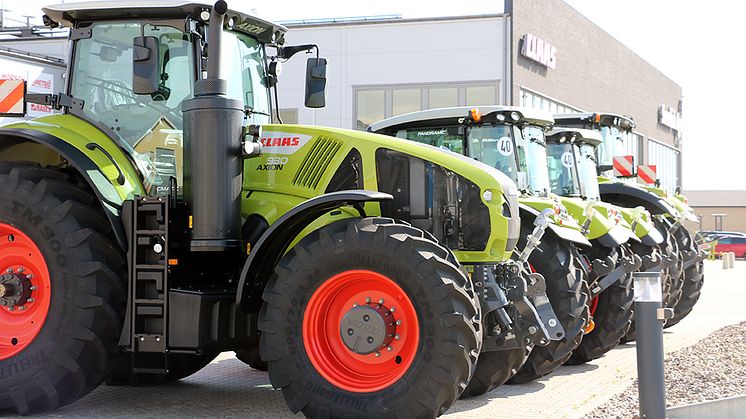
[[133, 65]]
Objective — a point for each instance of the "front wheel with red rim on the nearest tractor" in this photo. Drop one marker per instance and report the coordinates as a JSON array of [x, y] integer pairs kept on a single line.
[[368, 318]]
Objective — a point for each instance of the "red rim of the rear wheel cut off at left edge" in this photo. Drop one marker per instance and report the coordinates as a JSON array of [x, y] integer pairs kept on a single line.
[[22, 263]]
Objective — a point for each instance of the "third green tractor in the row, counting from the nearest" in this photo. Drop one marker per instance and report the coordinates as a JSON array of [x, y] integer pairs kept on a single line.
[[573, 173]]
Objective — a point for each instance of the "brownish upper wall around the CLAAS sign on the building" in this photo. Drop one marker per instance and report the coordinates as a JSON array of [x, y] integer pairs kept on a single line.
[[594, 71]]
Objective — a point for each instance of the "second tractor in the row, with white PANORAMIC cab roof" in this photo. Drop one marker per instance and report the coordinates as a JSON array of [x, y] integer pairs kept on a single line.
[[512, 141]]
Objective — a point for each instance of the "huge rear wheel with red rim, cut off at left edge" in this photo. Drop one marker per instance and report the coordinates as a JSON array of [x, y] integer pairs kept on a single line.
[[62, 290]]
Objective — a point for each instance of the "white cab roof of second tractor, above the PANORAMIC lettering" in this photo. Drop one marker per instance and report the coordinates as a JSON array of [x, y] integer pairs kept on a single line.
[[450, 116]]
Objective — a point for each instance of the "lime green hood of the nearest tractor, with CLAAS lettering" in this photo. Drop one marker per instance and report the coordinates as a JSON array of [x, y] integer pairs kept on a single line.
[[305, 161]]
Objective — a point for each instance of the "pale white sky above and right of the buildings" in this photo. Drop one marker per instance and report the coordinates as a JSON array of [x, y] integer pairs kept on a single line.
[[700, 45]]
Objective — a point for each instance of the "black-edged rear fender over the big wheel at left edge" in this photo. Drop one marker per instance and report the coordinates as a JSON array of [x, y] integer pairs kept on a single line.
[[89, 171]]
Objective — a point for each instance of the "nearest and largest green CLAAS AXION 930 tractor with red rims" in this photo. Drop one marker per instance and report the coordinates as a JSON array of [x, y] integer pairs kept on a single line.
[[160, 219]]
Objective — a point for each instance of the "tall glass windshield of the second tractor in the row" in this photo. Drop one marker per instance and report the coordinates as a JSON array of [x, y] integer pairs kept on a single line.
[[532, 157]]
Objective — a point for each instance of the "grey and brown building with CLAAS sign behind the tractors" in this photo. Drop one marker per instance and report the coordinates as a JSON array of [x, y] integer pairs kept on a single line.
[[541, 54]]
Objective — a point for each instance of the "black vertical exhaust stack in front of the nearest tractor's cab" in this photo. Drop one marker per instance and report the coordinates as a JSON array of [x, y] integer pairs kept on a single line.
[[212, 134]]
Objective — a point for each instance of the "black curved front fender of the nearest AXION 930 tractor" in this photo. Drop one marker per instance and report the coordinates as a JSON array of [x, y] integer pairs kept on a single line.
[[272, 245]]
